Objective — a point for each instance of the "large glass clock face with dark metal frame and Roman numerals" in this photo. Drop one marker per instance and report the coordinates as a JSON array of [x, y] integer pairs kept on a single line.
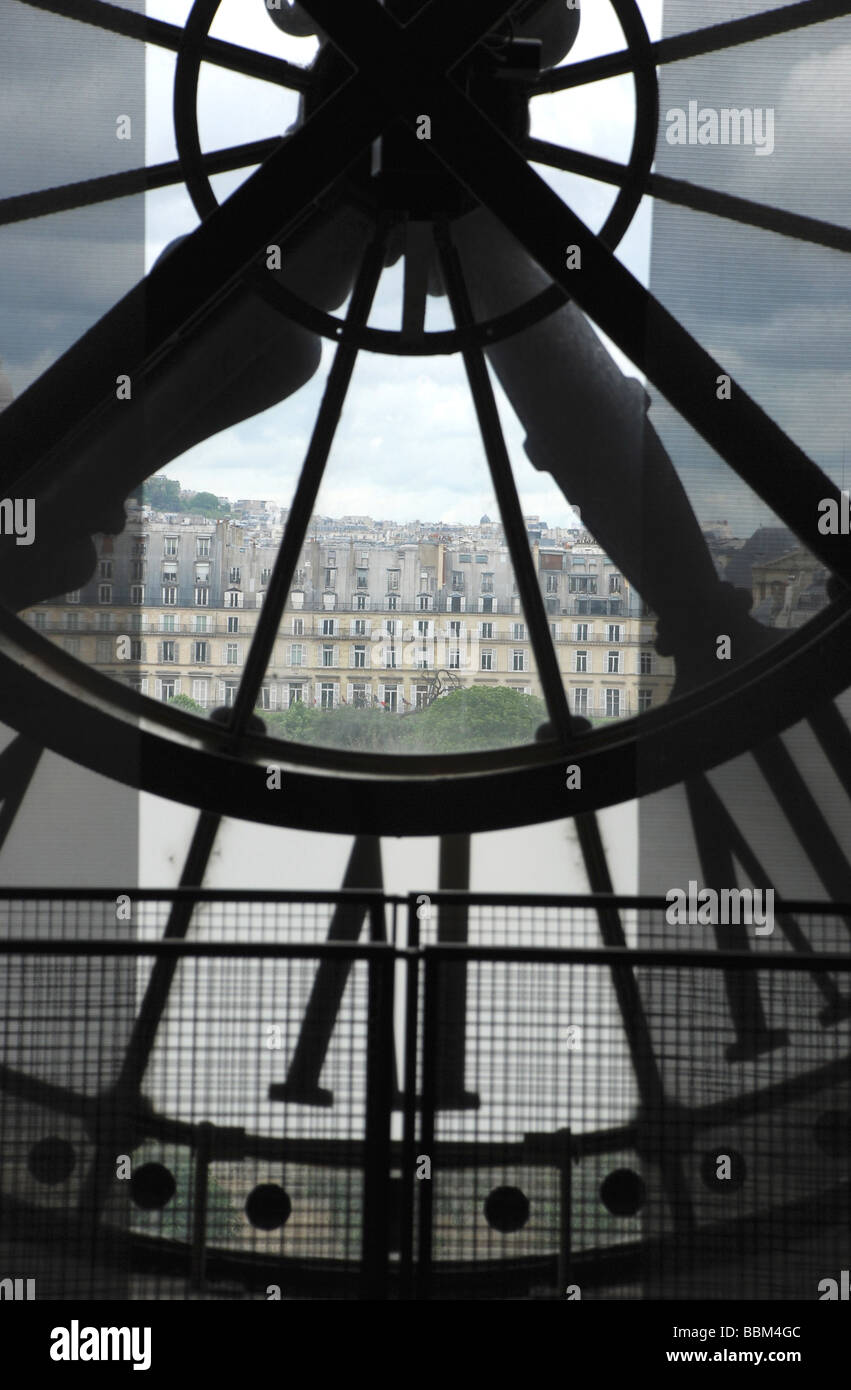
[[383, 322]]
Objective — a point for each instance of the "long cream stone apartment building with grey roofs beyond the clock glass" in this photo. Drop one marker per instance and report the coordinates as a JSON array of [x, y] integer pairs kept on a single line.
[[175, 603]]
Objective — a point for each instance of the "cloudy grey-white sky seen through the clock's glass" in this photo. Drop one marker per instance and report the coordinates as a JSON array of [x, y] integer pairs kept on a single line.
[[775, 312]]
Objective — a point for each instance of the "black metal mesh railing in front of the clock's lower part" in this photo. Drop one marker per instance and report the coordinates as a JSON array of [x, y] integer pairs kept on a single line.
[[209, 1099]]
